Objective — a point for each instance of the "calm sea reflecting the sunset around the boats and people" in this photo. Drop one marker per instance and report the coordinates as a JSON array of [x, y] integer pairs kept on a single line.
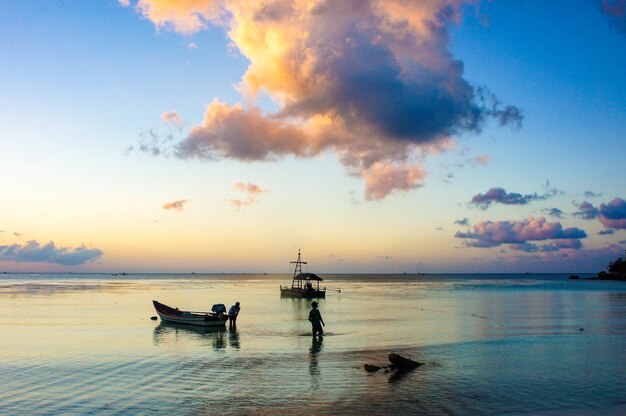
[[491, 344]]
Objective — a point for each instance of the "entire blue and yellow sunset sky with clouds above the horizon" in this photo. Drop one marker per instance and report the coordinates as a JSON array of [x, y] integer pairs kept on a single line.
[[377, 136]]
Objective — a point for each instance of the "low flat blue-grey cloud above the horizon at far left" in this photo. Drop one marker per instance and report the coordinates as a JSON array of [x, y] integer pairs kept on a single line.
[[34, 252]]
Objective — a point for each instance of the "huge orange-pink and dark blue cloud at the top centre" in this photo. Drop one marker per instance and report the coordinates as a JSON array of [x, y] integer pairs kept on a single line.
[[372, 81]]
